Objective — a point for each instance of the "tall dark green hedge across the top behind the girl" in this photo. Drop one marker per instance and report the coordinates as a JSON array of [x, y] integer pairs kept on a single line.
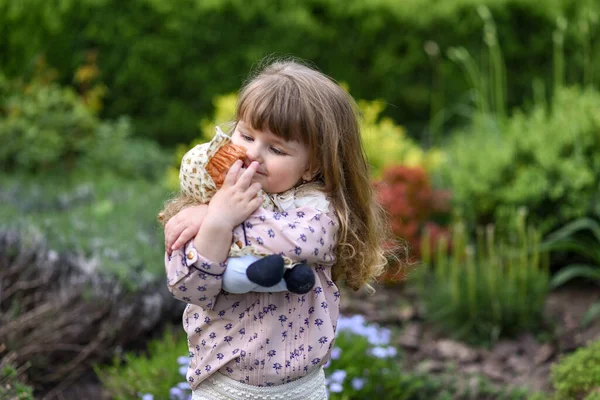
[[164, 61]]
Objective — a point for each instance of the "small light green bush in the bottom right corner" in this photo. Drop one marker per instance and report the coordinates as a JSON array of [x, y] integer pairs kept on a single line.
[[577, 376]]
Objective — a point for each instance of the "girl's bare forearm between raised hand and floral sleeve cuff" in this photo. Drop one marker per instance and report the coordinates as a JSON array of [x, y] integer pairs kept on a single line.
[[214, 240]]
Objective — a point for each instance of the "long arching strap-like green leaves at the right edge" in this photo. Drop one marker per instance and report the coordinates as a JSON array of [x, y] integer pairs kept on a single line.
[[581, 238]]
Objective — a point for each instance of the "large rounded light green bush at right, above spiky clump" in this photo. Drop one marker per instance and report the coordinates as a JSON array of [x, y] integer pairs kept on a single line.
[[547, 161]]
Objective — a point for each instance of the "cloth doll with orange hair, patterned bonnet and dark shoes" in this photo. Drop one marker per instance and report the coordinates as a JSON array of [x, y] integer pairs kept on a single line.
[[202, 173]]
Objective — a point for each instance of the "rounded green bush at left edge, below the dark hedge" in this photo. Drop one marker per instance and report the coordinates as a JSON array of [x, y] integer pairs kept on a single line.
[[46, 128]]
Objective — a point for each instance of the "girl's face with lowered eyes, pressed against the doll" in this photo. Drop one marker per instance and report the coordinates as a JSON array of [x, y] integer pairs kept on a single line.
[[282, 164]]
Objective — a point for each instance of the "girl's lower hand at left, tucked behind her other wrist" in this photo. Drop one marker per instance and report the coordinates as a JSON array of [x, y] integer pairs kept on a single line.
[[184, 226]]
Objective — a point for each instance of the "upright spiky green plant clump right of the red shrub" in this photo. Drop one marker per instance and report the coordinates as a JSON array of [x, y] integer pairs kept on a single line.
[[495, 288]]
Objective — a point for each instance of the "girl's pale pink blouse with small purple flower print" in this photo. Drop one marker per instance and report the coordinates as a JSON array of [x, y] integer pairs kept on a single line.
[[261, 339]]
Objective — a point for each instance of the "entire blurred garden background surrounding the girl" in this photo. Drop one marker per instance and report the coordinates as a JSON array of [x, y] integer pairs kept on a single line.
[[480, 118]]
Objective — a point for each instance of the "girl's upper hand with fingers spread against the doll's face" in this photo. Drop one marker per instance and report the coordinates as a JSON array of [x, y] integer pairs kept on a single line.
[[237, 198]]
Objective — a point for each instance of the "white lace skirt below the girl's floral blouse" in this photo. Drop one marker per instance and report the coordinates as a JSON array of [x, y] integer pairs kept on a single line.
[[221, 387]]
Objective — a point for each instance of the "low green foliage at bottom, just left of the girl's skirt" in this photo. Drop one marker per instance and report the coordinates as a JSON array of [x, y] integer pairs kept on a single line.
[[153, 372]]
